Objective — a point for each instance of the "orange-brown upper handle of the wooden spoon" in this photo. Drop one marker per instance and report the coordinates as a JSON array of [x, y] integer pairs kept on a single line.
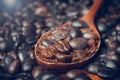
[[92, 12]]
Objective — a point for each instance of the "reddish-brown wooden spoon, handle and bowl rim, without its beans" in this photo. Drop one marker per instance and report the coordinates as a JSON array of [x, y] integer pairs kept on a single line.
[[61, 67]]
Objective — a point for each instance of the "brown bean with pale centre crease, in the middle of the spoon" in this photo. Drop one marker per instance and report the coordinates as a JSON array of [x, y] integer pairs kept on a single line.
[[62, 46]]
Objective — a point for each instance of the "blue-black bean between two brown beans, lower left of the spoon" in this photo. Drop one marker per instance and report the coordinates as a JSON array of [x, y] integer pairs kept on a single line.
[[27, 65]]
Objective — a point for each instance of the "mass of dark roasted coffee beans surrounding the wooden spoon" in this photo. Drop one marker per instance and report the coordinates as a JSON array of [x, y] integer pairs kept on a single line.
[[22, 24]]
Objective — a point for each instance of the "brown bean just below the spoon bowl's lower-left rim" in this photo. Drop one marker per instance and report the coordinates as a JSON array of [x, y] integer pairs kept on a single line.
[[37, 71]]
